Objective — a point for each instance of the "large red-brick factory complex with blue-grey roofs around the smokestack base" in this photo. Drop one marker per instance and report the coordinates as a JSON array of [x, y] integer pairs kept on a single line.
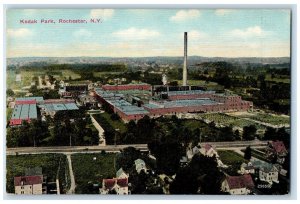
[[172, 102]]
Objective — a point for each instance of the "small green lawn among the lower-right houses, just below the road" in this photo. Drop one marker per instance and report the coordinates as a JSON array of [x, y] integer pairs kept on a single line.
[[233, 160]]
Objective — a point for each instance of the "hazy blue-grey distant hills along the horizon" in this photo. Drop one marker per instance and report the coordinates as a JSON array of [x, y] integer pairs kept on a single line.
[[39, 61]]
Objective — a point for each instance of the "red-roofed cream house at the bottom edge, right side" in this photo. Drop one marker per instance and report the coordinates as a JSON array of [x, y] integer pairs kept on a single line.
[[238, 185]]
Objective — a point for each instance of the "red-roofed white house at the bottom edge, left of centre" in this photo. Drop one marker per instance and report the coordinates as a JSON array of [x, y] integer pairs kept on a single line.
[[115, 185]]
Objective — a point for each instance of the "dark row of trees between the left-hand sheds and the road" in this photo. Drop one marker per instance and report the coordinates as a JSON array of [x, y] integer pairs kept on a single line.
[[66, 128]]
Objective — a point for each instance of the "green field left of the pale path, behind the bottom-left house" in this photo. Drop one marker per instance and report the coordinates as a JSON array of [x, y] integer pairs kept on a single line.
[[50, 164]]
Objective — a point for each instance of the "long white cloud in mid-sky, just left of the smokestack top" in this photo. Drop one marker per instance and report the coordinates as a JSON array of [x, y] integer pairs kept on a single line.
[[136, 34]]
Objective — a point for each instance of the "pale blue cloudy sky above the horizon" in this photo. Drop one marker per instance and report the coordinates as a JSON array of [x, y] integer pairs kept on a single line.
[[157, 32]]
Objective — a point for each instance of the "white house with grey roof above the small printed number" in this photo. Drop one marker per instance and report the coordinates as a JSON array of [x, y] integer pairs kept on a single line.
[[269, 173]]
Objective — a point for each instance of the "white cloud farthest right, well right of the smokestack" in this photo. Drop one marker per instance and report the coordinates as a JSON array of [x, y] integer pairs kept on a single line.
[[255, 31]]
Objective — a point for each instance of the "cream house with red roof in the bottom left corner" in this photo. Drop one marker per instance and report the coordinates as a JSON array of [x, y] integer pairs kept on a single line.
[[29, 185]]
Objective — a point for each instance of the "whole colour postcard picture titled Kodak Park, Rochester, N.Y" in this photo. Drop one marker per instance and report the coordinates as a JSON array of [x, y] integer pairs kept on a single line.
[[148, 101]]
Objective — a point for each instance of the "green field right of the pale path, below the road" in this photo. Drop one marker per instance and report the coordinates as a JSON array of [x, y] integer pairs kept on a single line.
[[89, 171]]
